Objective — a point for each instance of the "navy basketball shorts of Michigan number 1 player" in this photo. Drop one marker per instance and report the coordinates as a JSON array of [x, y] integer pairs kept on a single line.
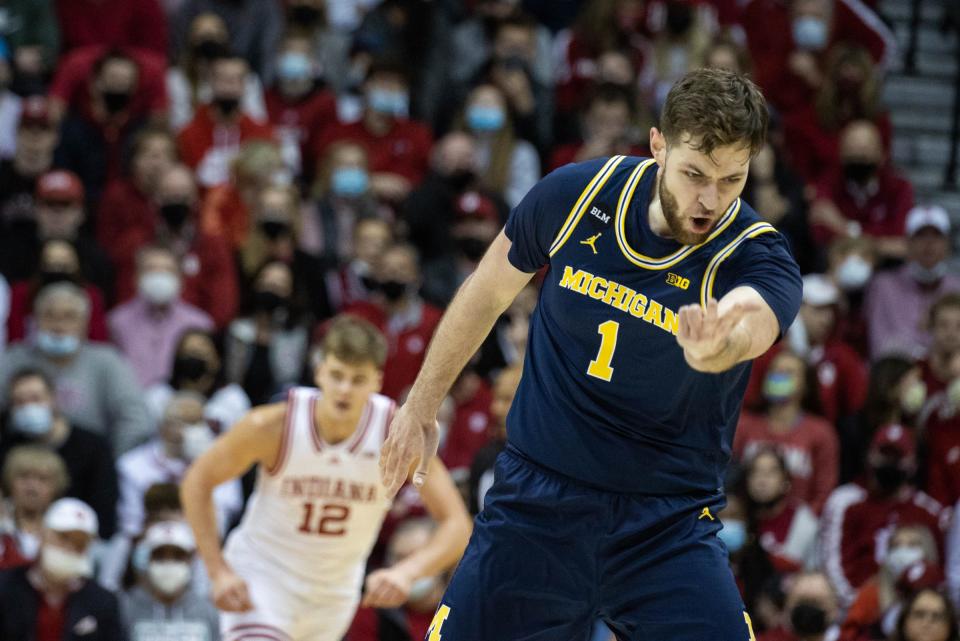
[[549, 556]]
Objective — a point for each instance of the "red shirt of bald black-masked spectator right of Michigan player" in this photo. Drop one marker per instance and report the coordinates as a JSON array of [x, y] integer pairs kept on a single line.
[[880, 212]]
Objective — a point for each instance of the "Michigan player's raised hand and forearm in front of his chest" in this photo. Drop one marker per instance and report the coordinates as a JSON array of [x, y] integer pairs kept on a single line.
[[741, 327]]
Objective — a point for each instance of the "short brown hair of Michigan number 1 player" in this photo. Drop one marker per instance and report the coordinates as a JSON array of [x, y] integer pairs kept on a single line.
[[715, 108]]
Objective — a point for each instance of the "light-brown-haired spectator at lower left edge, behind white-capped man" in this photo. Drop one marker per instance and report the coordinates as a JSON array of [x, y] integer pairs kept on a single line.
[[33, 478]]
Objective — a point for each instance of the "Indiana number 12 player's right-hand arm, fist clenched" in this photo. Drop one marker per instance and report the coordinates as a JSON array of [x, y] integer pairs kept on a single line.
[[390, 587]]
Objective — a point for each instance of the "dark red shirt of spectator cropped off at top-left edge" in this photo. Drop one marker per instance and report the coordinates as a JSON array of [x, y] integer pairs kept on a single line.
[[113, 23]]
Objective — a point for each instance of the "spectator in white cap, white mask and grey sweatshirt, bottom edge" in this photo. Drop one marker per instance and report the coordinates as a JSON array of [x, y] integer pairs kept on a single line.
[[166, 604]]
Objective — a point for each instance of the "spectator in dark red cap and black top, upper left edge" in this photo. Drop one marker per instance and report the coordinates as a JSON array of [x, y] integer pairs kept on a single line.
[[35, 138]]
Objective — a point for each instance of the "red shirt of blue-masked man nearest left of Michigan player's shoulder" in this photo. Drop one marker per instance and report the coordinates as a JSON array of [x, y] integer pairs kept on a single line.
[[404, 150]]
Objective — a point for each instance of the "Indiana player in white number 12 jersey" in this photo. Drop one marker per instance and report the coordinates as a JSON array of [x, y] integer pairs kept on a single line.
[[293, 569]]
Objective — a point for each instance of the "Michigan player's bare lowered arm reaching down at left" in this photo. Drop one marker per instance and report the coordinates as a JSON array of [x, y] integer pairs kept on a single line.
[[485, 295]]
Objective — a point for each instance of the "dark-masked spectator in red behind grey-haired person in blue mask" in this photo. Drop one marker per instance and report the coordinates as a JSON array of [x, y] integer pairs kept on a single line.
[[59, 262]]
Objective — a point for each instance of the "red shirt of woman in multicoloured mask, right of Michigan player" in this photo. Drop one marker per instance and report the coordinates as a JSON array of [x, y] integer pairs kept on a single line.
[[811, 451]]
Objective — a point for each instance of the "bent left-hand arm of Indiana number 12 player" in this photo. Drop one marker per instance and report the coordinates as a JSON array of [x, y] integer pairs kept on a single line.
[[255, 438]]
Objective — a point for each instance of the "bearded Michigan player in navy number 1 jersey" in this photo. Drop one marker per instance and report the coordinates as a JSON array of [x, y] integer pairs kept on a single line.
[[661, 286]]
